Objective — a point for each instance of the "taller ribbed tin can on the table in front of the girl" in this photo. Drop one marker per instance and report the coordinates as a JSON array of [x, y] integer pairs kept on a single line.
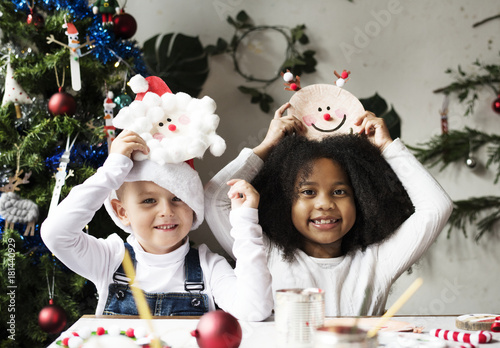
[[298, 312]]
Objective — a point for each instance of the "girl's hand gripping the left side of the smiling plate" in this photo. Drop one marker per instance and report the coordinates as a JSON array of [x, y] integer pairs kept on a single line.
[[280, 127]]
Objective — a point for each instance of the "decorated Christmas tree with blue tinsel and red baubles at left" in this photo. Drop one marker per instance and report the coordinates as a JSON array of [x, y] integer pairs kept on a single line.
[[61, 63]]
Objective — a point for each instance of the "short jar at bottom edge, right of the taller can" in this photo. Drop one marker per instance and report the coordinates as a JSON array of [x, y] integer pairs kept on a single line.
[[343, 337]]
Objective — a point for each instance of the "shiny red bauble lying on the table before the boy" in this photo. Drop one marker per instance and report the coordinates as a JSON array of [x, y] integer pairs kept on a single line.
[[218, 329]]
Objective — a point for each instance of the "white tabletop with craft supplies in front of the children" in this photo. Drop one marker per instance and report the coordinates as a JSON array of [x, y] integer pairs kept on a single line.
[[176, 331]]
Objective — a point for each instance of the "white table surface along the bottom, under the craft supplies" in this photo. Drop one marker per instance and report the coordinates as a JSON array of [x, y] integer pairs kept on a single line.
[[176, 330]]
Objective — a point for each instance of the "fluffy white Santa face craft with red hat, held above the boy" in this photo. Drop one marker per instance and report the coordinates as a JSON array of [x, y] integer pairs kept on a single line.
[[176, 127]]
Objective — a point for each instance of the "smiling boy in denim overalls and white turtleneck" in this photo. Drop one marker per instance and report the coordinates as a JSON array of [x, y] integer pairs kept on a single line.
[[158, 205]]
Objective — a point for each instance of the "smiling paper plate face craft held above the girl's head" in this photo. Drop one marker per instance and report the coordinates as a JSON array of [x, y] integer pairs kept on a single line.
[[324, 109]]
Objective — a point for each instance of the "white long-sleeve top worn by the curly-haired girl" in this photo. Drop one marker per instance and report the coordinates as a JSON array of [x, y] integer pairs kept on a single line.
[[348, 278]]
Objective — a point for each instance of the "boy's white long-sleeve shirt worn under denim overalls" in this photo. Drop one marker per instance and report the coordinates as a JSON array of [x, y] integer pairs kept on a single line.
[[244, 292]]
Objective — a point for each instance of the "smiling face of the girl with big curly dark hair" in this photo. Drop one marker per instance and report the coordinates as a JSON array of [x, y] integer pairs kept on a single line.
[[324, 210]]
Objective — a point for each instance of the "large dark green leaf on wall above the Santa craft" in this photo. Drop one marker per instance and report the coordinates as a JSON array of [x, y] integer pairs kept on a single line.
[[180, 60]]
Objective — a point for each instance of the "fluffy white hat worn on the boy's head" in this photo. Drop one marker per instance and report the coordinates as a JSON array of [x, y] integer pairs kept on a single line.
[[178, 178]]
